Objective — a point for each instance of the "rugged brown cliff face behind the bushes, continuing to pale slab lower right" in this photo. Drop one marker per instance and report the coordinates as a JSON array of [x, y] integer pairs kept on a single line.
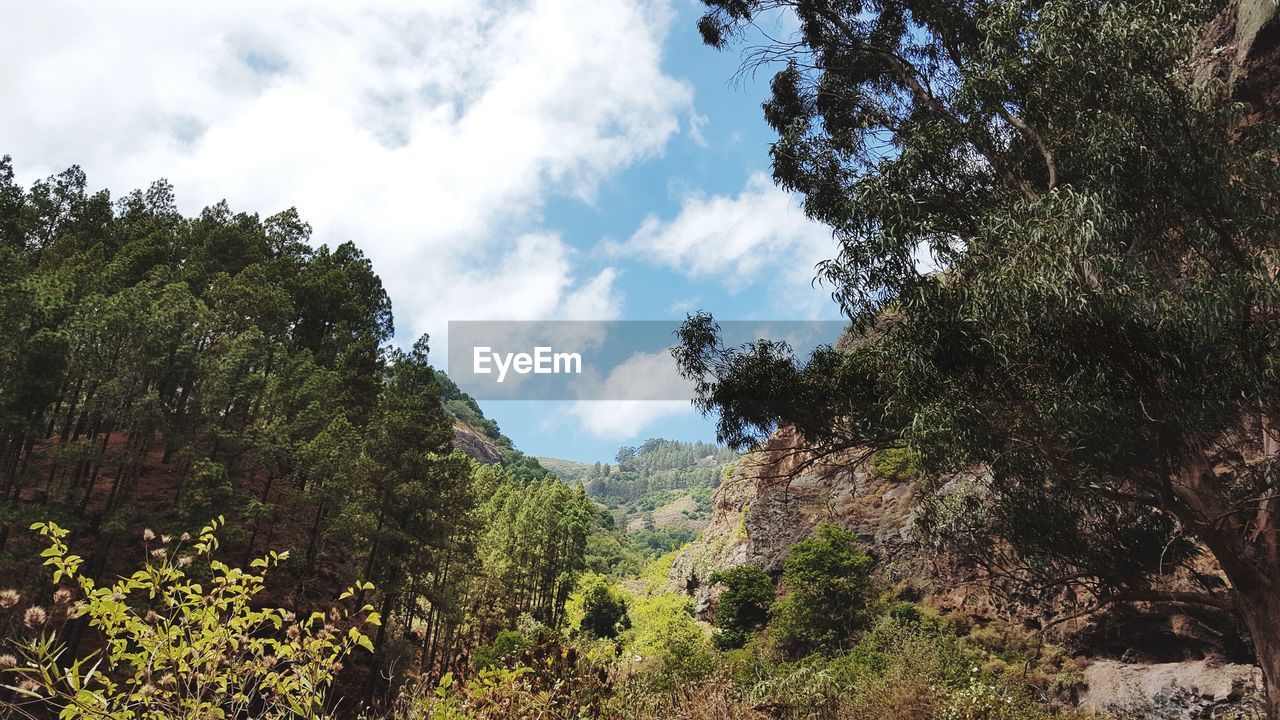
[[1153, 662]]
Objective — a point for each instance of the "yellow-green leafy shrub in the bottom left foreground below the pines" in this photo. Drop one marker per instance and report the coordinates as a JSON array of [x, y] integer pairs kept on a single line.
[[179, 648]]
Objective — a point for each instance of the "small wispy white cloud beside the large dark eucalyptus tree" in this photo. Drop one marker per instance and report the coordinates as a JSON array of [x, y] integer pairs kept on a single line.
[[758, 236]]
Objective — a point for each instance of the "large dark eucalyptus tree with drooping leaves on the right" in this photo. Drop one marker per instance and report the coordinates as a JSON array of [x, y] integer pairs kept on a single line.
[[1104, 335]]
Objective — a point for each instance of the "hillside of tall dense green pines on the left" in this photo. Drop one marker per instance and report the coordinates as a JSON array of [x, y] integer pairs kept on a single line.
[[161, 371]]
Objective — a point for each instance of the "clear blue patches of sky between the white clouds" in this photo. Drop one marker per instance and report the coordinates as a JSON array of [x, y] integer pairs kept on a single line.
[[733, 147]]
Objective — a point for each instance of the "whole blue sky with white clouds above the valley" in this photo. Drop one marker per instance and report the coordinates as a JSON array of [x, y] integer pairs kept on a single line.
[[511, 161]]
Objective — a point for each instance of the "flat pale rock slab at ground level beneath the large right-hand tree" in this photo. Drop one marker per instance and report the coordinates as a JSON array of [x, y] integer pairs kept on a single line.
[[1174, 691]]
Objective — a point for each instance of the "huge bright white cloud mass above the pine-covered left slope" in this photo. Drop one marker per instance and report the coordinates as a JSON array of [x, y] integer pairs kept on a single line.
[[429, 133]]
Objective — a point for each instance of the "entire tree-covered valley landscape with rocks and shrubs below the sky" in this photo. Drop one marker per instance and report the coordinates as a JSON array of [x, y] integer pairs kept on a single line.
[[1037, 479]]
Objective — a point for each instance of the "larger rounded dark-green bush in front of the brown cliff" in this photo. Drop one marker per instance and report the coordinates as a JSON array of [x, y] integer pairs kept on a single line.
[[829, 593]]
